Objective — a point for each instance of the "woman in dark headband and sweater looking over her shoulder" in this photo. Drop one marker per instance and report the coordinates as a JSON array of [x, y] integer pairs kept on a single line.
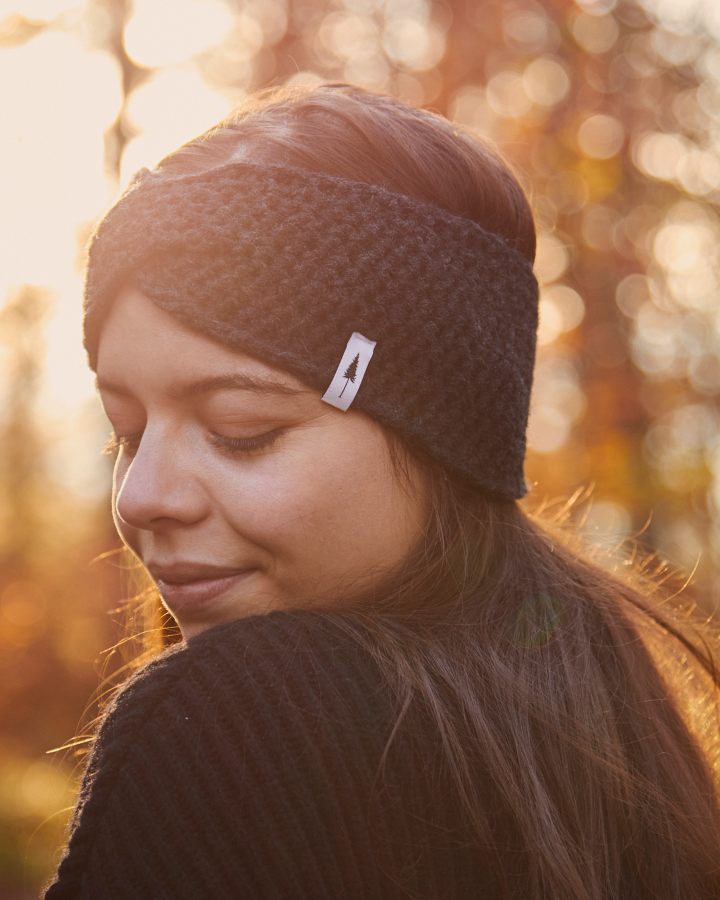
[[313, 329]]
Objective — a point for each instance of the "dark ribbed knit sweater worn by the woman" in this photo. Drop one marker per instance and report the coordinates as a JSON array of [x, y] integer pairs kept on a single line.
[[243, 763]]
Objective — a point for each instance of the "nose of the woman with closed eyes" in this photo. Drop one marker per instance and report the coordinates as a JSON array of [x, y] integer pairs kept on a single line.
[[160, 486]]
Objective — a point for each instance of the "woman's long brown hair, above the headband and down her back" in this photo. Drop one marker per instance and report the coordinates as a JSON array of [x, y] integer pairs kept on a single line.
[[580, 686]]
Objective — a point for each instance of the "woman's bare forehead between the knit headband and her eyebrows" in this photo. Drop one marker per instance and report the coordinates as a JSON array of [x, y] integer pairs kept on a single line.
[[141, 347]]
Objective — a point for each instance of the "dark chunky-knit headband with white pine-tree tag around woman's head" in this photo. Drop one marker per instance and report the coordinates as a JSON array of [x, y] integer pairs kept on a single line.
[[420, 318]]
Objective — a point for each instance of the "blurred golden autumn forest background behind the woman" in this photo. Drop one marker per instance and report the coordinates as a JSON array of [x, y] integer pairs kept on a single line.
[[610, 112]]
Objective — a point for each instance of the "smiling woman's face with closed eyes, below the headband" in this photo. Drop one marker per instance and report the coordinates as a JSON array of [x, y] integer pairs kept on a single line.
[[239, 489]]
